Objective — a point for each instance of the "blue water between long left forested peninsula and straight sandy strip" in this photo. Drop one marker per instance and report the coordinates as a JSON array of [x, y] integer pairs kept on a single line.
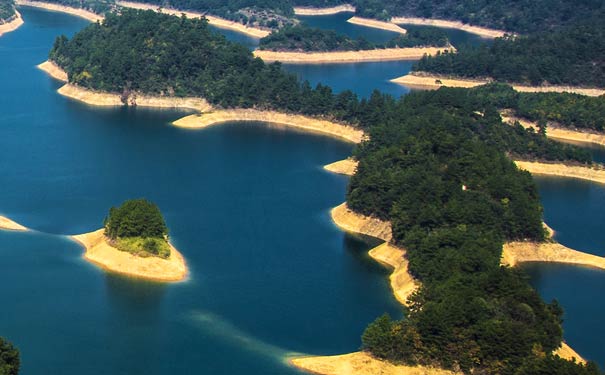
[[361, 78]]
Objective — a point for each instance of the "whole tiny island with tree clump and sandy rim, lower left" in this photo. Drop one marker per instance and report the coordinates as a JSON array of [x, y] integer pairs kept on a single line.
[[134, 241]]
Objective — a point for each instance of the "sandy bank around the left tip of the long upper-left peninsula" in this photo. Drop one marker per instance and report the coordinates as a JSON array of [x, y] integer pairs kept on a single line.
[[114, 99]]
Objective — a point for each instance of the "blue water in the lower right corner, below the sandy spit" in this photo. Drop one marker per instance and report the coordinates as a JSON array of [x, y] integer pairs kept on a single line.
[[579, 291]]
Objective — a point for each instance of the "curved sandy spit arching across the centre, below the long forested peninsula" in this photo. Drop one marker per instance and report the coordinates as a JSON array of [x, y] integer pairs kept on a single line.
[[204, 120]]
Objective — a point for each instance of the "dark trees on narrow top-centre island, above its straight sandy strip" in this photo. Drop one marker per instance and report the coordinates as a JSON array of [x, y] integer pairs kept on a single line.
[[307, 39]]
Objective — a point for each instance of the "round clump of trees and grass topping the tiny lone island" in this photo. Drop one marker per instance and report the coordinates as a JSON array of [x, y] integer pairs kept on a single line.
[[138, 227]]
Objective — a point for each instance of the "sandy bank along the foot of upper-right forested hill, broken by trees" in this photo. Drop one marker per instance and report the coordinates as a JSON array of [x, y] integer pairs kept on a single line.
[[428, 81]]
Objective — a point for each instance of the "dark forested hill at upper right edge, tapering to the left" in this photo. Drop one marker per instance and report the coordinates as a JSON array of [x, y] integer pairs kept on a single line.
[[573, 55]]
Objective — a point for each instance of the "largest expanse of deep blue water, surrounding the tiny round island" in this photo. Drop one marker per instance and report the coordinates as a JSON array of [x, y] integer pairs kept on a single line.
[[247, 204]]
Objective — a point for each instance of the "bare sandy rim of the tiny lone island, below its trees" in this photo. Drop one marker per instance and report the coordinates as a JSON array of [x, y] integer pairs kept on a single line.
[[99, 252]]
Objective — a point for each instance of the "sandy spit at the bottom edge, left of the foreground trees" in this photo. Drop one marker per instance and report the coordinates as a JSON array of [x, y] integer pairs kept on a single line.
[[360, 363]]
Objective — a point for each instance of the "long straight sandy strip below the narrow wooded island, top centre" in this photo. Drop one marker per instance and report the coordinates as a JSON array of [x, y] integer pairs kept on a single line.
[[336, 57]]
